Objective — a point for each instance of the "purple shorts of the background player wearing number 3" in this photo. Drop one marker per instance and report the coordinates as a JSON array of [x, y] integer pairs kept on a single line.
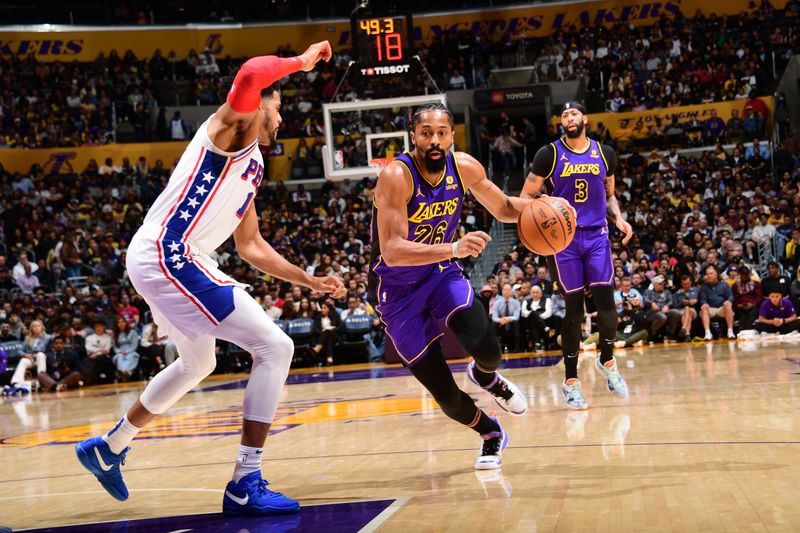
[[586, 262]]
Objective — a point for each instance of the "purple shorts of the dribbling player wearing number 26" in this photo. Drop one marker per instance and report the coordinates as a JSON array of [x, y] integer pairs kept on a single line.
[[412, 312]]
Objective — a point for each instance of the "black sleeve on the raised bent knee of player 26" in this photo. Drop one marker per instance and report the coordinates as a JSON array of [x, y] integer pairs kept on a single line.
[[477, 335]]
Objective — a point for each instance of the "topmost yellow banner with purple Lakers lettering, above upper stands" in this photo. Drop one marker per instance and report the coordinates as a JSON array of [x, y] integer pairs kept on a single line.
[[237, 41]]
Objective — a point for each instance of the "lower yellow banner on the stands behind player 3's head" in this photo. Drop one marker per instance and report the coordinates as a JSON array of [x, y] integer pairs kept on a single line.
[[636, 125]]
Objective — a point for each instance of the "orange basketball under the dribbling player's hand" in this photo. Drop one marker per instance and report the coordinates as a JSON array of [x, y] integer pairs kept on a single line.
[[547, 225]]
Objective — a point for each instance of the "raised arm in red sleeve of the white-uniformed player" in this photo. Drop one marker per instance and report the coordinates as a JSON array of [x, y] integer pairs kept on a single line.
[[234, 126]]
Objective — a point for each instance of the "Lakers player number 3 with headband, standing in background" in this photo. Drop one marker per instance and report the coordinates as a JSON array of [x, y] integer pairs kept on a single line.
[[582, 171]]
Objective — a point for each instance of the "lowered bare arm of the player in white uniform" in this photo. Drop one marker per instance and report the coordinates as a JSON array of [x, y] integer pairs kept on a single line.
[[255, 250]]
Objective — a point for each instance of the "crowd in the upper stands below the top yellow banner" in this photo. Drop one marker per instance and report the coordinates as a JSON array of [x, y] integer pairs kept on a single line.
[[673, 62]]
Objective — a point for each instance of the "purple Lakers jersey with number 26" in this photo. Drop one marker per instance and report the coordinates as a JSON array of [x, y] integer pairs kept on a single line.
[[434, 213]]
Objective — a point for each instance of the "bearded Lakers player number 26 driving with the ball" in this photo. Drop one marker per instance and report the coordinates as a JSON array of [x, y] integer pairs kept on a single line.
[[418, 281]]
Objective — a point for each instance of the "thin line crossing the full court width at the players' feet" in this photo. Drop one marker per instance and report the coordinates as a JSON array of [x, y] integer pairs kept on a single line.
[[443, 450]]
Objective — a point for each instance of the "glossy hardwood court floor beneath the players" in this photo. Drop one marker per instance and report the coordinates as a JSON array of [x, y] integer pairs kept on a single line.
[[708, 441]]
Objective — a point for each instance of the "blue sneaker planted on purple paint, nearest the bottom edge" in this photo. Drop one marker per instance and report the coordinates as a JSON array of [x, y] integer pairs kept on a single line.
[[251, 497]]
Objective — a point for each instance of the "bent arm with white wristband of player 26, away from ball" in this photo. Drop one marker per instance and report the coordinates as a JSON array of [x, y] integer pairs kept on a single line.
[[391, 198]]
